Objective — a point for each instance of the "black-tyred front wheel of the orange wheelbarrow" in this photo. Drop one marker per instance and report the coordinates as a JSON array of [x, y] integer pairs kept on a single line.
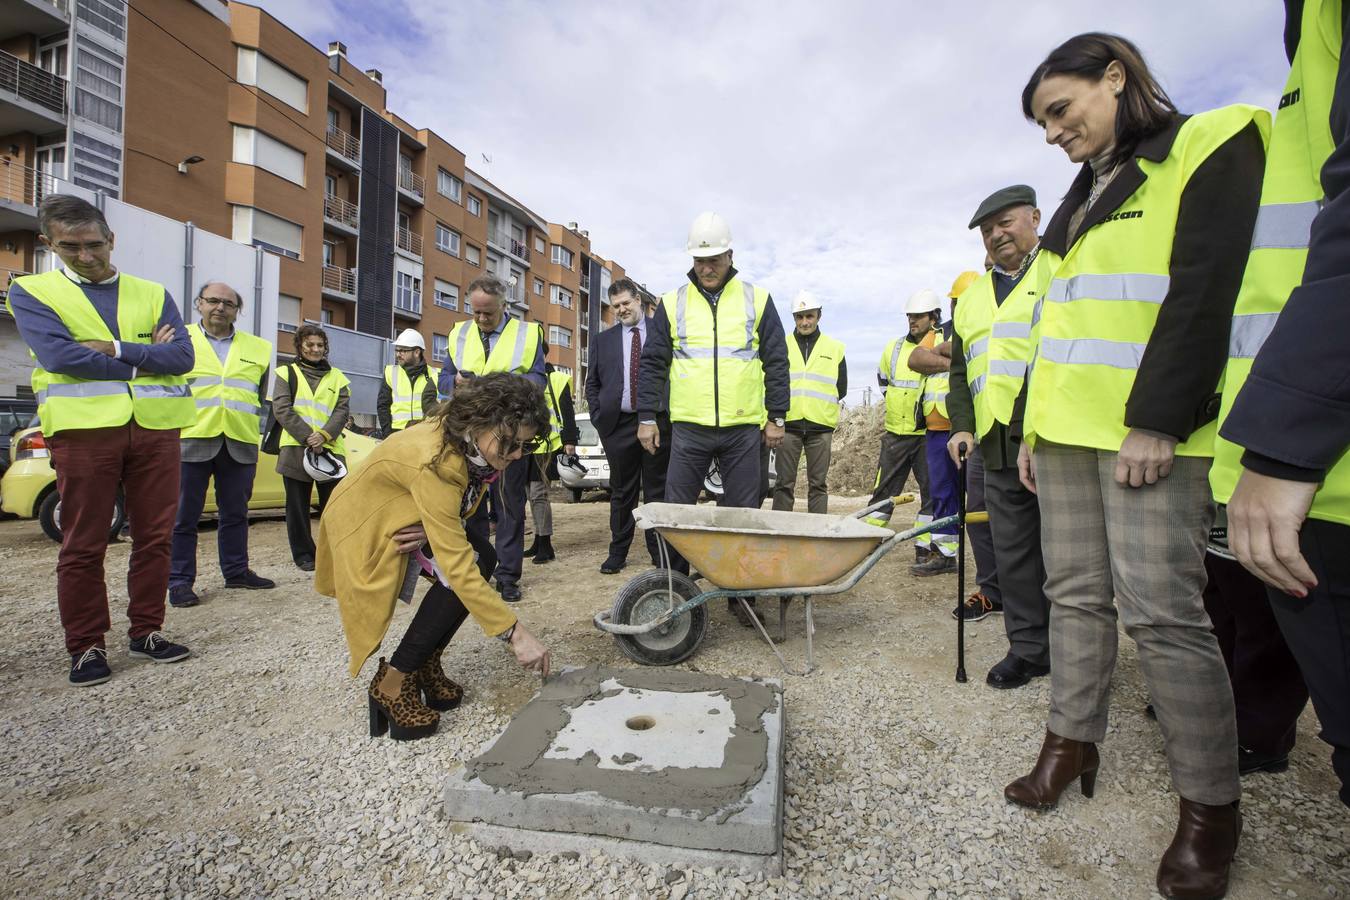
[[647, 597]]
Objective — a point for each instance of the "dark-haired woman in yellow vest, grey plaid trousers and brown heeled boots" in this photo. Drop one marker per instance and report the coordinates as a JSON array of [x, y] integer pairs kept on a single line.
[[1154, 237]]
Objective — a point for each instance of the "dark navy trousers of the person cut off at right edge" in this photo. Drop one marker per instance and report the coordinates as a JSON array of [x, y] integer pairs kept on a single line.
[[1318, 631]]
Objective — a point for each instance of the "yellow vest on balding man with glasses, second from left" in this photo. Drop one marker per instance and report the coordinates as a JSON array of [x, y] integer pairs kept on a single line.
[[227, 395]]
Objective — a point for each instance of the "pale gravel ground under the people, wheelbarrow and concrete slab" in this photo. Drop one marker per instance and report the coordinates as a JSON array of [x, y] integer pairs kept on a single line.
[[248, 770]]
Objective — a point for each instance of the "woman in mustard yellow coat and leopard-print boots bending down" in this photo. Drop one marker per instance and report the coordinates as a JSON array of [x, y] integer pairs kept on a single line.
[[415, 490]]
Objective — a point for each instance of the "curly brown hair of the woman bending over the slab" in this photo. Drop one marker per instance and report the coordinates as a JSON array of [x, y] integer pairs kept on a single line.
[[500, 401]]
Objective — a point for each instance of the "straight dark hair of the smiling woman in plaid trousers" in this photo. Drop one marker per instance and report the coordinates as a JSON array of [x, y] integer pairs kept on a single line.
[[1145, 107]]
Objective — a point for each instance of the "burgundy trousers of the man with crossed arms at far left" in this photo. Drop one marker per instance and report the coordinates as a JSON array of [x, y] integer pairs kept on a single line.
[[91, 466]]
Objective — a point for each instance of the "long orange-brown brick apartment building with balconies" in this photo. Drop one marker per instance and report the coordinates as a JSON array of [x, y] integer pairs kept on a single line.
[[218, 114]]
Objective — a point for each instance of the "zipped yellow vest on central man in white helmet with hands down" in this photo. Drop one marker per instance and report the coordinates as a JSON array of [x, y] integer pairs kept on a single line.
[[718, 377]]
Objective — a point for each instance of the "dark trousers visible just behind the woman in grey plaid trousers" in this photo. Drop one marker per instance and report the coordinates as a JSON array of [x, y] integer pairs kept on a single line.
[[1268, 689]]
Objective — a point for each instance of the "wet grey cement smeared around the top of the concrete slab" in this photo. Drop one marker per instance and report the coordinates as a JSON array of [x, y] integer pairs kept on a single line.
[[516, 762]]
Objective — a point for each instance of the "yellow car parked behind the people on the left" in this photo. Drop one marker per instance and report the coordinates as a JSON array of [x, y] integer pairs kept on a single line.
[[29, 486]]
